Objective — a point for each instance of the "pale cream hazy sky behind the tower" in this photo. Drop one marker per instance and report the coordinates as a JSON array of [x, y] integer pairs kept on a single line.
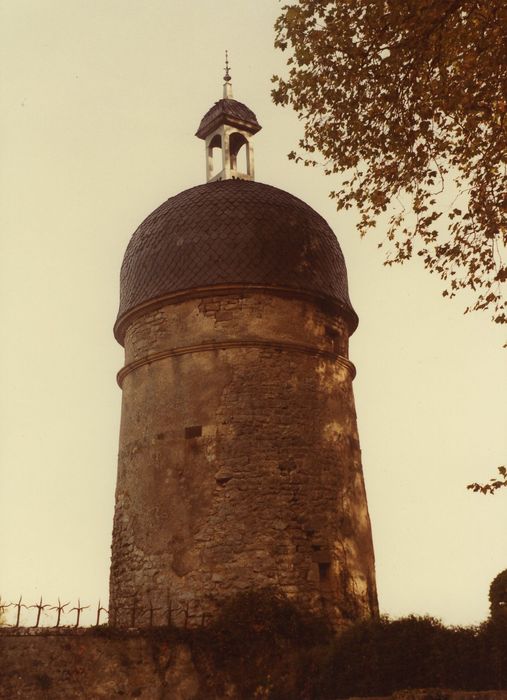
[[99, 103]]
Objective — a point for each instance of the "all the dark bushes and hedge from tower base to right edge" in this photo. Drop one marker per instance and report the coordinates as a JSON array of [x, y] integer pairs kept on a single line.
[[264, 645]]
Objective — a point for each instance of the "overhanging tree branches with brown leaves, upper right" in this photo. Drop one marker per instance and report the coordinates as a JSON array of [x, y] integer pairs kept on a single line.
[[406, 100]]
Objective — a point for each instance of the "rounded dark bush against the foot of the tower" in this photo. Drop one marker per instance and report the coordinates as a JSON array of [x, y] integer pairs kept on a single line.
[[265, 644]]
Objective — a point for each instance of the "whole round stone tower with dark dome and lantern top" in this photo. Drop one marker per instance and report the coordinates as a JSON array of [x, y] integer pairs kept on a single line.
[[239, 461]]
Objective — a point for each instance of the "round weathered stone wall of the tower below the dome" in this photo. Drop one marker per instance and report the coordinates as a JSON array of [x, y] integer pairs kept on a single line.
[[239, 463]]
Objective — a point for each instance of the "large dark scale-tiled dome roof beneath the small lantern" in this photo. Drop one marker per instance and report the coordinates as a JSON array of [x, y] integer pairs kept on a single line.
[[232, 232]]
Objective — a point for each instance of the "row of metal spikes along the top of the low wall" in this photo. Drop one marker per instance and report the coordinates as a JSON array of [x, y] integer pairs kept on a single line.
[[20, 614]]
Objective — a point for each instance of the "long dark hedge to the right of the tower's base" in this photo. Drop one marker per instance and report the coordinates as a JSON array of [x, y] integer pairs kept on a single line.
[[380, 657]]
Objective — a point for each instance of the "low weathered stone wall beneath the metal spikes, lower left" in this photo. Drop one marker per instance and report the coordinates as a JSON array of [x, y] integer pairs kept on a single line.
[[73, 666]]
